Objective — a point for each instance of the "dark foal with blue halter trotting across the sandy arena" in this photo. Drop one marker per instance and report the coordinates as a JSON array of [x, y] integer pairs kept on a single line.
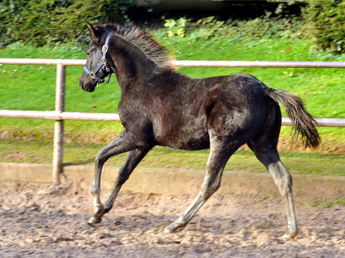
[[160, 106]]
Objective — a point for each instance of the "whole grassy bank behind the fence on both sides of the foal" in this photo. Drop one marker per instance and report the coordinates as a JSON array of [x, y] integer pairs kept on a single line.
[[30, 87]]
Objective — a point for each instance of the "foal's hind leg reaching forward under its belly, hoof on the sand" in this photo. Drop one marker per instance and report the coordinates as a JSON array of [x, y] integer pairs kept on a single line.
[[214, 170]]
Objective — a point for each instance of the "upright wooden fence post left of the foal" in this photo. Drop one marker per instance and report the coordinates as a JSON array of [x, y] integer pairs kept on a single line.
[[59, 124]]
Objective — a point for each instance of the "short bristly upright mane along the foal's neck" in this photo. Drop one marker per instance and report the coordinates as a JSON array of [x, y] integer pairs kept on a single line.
[[142, 40]]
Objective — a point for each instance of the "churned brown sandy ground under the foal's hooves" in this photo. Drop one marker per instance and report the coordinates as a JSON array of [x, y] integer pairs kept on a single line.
[[48, 222]]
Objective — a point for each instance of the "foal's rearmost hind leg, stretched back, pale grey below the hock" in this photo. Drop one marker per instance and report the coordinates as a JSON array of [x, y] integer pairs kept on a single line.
[[269, 156]]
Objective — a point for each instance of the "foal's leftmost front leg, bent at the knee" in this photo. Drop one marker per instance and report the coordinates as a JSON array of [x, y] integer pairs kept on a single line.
[[121, 144]]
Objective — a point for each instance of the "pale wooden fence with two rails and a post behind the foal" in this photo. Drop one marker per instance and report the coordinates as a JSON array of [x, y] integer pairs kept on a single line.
[[59, 115]]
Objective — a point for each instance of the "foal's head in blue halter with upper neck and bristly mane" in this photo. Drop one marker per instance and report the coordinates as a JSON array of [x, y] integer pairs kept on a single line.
[[130, 48]]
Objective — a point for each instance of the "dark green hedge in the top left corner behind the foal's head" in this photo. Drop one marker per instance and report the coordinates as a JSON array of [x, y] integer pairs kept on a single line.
[[56, 21]]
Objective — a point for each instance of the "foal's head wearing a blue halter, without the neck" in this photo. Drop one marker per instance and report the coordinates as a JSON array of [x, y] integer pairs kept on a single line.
[[97, 66]]
